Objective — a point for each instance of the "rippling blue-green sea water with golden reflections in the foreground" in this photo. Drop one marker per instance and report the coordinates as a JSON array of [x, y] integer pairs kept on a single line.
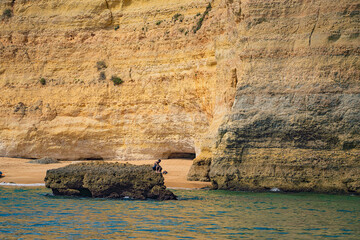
[[33, 213]]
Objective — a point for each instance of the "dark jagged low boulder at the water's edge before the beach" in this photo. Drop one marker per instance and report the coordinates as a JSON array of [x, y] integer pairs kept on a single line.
[[108, 180]]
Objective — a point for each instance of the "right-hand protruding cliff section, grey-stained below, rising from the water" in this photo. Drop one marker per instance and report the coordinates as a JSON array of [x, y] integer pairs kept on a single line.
[[295, 120]]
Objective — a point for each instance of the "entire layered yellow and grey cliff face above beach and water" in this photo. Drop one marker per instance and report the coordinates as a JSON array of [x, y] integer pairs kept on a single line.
[[266, 93]]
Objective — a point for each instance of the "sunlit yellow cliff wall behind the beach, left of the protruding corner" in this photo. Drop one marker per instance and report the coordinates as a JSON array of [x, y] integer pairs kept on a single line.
[[166, 104]]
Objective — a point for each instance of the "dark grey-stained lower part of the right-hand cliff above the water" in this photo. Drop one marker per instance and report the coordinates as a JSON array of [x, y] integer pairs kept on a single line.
[[290, 145]]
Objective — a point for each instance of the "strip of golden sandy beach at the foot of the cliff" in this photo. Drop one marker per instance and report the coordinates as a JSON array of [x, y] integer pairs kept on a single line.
[[20, 171]]
